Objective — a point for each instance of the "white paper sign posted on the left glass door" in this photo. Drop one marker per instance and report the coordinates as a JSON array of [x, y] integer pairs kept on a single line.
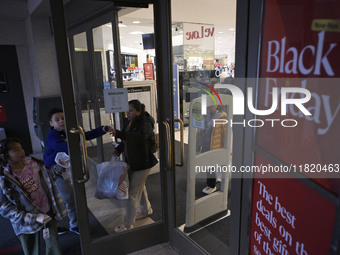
[[116, 100]]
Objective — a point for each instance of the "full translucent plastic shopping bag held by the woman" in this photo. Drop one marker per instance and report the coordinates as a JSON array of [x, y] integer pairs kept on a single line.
[[113, 179]]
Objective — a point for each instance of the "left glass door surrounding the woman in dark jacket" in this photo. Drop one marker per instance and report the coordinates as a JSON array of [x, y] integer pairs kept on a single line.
[[96, 59]]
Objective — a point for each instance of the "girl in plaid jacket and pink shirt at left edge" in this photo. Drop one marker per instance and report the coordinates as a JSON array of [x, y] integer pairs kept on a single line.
[[29, 199]]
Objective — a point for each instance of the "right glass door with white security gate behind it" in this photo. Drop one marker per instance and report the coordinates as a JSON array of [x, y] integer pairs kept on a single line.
[[204, 63]]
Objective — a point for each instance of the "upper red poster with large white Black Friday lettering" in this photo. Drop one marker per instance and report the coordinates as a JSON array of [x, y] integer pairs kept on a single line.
[[301, 48]]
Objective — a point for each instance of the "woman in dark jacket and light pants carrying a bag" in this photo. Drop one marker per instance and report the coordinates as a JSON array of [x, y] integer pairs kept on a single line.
[[137, 147]]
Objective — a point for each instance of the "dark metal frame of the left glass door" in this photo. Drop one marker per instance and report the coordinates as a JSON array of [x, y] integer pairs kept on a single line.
[[145, 236]]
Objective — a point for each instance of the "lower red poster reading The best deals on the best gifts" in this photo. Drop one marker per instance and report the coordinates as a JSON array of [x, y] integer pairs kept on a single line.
[[287, 220]]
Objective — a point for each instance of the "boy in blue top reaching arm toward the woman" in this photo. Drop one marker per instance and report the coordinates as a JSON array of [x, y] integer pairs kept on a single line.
[[56, 142]]
